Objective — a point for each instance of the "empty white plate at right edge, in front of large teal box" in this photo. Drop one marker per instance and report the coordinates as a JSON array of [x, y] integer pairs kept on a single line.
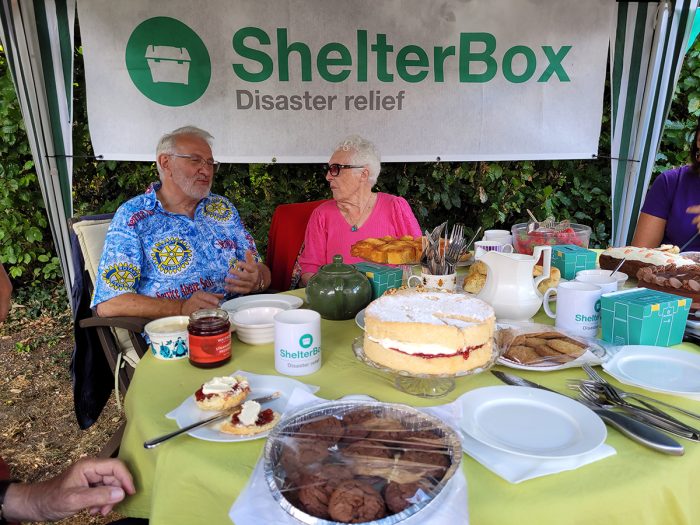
[[657, 368]]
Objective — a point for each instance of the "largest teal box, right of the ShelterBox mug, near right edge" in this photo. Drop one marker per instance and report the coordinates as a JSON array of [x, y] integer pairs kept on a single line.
[[643, 317]]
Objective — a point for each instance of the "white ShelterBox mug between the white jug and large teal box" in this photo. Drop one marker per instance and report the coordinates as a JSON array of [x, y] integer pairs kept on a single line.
[[578, 307]]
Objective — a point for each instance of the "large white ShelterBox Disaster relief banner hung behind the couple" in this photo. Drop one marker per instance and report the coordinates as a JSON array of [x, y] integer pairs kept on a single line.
[[286, 80]]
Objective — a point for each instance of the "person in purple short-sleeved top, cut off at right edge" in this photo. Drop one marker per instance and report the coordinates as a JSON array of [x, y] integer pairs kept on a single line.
[[671, 211]]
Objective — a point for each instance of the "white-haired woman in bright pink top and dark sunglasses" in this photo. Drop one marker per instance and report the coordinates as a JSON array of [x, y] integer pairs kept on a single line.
[[356, 212]]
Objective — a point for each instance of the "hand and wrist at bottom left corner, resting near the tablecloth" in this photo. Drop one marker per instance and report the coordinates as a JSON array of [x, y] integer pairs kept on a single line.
[[94, 484]]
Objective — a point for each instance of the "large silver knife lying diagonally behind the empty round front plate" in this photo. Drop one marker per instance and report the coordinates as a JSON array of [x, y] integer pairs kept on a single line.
[[633, 429]]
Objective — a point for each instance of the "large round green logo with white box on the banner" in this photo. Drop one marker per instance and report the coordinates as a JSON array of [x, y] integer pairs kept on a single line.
[[168, 62]]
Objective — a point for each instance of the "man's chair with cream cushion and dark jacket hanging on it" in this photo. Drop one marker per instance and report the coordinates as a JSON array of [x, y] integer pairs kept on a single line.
[[107, 348]]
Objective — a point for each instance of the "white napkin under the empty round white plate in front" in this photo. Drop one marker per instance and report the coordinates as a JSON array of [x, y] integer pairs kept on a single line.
[[513, 467]]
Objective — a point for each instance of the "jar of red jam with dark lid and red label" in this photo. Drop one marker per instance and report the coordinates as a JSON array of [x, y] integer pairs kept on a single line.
[[209, 338]]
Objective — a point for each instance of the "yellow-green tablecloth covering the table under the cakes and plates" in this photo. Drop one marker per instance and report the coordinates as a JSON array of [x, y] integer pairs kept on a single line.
[[186, 480]]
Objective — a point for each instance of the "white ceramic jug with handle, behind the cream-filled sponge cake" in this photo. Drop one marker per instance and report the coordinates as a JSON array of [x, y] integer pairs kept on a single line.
[[510, 287]]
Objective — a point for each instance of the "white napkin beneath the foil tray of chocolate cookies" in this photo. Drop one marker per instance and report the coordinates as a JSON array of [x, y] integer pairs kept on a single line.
[[256, 505]]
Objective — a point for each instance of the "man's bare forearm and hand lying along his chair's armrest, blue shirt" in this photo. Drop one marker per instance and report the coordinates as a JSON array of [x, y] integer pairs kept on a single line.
[[132, 304]]
